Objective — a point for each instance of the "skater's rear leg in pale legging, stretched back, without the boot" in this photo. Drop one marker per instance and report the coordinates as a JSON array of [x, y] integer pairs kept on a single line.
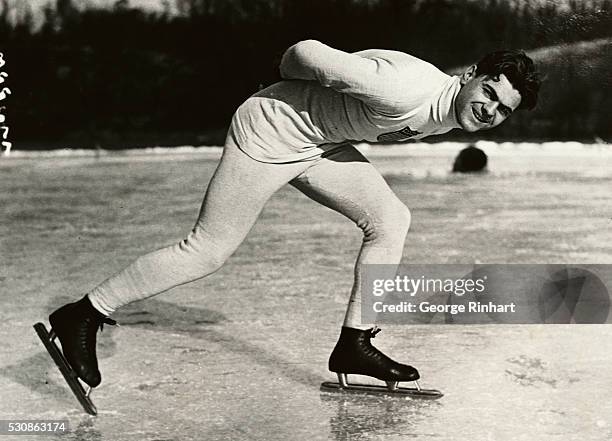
[[235, 196]]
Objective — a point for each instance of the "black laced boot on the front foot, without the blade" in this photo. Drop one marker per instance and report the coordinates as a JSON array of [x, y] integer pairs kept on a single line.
[[354, 354]]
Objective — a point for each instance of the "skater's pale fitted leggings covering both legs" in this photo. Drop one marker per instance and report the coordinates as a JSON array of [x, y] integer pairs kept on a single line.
[[342, 180]]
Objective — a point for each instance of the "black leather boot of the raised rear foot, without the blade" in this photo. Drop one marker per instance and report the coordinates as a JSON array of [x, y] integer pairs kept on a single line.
[[76, 325]]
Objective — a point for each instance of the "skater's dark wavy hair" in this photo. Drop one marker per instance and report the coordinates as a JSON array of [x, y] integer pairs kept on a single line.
[[518, 68]]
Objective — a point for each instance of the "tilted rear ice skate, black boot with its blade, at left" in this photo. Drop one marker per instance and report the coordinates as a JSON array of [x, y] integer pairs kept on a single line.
[[76, 325]]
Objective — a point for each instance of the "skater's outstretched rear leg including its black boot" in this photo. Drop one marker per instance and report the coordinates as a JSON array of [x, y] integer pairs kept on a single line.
[[236, 195]]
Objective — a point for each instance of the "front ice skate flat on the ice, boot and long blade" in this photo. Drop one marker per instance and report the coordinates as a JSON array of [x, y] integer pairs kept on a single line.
[[355, 354]]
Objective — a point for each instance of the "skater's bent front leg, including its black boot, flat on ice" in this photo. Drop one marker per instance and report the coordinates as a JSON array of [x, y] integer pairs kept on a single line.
[[346, 182]]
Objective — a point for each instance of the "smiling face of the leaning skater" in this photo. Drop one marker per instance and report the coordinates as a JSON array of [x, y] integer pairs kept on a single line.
[[484, 102]]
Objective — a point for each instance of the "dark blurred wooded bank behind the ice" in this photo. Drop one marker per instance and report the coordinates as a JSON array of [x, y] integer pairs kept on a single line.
[[119, 74]]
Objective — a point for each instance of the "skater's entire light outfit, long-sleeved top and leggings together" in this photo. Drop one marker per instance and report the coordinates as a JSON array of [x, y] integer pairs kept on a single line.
[[298, 131]]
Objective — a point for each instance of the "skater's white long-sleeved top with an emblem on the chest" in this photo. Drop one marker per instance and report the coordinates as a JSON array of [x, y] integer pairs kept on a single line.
[[329, 97]]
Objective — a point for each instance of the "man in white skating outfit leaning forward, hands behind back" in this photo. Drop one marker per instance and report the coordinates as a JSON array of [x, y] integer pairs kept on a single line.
[[297, 131]]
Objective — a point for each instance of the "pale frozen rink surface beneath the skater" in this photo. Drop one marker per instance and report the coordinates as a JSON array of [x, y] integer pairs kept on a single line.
[[240, 355]]
